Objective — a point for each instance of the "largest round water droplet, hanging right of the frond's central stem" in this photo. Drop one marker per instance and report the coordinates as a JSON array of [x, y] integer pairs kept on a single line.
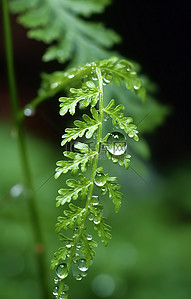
[[116, 144]]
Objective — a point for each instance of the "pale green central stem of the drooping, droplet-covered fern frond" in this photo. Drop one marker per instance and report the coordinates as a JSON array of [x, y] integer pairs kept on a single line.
[[94, 168]]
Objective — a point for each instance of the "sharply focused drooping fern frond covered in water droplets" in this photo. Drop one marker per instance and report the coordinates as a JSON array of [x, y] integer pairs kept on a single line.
[[78, 248]]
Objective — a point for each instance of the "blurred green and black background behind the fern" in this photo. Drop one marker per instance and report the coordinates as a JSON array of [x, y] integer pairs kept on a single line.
[[149, 256]]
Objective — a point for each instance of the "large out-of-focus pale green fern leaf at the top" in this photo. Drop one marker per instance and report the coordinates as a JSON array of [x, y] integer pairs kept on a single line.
[[60, 23]]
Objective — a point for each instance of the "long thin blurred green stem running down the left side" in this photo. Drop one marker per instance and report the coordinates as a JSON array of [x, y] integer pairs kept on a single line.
[[33, 211]]
